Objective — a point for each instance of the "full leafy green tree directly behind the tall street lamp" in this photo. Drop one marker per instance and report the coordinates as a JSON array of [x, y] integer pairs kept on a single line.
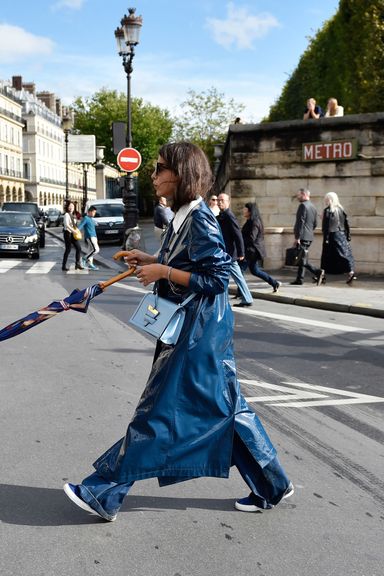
[[151, 127]]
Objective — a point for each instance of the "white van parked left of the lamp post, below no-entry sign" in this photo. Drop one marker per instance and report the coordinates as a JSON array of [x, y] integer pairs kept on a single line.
[[109, 219]]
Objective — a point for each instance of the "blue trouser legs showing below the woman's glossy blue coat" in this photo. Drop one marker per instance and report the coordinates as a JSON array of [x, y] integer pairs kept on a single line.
[[268, 484]]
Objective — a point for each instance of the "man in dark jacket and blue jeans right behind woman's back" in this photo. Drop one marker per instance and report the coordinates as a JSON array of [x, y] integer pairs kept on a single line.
[[234, 246]]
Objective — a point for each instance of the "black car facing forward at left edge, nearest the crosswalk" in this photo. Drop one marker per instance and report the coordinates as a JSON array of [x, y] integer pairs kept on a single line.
[[19, 234]]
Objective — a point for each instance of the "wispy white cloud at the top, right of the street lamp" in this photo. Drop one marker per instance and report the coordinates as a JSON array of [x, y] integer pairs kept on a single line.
[[241, 27]]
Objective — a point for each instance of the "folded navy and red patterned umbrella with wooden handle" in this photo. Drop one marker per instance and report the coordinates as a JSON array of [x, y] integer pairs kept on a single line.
[[78, 300]]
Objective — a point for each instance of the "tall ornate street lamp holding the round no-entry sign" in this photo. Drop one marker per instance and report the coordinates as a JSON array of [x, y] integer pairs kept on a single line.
[[127, 37]]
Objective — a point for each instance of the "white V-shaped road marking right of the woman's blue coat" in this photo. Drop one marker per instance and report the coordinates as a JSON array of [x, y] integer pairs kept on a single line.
[[303, 395]]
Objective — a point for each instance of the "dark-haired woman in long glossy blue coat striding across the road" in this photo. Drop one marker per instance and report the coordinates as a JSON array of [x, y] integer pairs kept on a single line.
[[191, 420]]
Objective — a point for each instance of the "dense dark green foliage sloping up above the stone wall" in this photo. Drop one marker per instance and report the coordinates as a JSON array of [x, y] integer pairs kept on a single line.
[[345, 60]]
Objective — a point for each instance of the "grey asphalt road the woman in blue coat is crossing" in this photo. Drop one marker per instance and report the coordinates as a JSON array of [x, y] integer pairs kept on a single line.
[[70, 386]]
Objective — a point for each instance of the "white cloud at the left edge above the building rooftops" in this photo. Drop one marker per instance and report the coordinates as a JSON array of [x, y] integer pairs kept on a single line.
[[16, 43]]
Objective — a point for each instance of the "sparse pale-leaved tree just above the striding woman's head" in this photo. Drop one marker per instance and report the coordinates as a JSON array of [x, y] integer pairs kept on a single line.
[[205, 119]]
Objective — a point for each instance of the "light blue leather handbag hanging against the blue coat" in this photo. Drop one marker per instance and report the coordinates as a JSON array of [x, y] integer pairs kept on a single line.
[[160, 317]]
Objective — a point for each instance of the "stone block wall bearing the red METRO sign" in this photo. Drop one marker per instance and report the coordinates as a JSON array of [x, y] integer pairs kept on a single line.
[[263, 163]]
